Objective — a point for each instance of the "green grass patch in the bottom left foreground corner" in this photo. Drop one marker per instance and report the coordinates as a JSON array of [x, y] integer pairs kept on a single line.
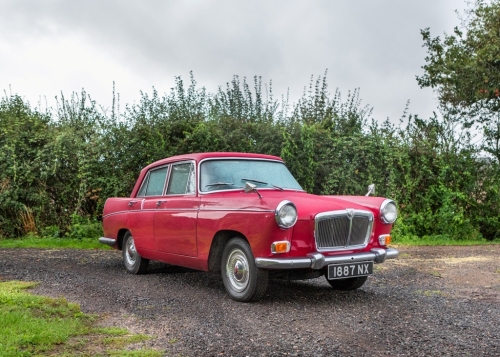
[[32, 325]]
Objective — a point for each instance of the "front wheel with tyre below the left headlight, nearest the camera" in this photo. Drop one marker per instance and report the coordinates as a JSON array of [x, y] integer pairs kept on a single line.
[[242, 279]]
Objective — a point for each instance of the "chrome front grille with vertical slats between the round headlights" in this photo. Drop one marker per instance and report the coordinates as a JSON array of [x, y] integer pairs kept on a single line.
[[343, 229]]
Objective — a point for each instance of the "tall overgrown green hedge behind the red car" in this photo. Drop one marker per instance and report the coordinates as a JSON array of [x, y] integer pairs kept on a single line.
[[58, 167]]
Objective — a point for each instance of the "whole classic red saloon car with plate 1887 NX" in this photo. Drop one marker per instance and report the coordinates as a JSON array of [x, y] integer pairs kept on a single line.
[[245, 215]]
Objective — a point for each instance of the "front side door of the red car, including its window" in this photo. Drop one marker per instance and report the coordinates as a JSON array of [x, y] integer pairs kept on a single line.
[[176, 214]]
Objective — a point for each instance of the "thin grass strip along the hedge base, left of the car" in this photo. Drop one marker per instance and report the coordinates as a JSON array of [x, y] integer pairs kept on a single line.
[[52, 243]]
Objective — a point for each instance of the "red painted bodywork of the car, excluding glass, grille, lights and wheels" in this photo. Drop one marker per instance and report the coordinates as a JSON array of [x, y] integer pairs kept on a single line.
[[184, 236]]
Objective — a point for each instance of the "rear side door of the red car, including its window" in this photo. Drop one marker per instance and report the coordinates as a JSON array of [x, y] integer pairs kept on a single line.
[[141, 218]]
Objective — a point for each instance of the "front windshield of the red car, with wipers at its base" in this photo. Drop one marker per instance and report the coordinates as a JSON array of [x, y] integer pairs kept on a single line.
[[230, 174]]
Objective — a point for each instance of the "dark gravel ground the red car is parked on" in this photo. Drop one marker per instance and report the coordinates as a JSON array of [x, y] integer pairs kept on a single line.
[[432, 301]]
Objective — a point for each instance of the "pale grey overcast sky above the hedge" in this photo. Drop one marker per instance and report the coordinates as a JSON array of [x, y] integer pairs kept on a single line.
[[49, 46]]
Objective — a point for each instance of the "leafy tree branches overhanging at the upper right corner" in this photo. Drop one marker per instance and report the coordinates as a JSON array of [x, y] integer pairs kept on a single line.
[[464, 68]]
